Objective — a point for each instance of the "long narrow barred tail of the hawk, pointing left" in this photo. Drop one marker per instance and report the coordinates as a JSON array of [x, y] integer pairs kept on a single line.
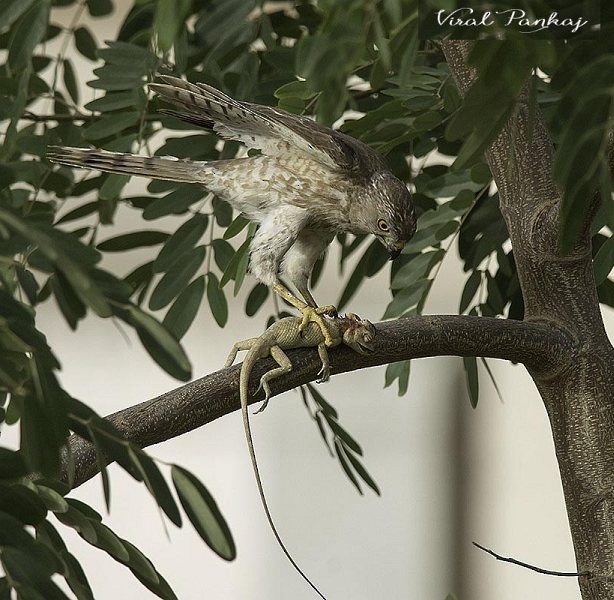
[[169, 168]]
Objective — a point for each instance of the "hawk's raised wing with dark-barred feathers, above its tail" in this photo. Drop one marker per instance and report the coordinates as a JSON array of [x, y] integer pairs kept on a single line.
[[271, 130]]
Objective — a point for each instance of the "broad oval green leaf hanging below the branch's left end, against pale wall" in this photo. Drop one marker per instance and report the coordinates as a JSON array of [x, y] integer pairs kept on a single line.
[[203, 512]]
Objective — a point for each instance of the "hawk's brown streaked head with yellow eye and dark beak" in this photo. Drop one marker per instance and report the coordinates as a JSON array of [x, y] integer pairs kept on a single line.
[[386, 210]]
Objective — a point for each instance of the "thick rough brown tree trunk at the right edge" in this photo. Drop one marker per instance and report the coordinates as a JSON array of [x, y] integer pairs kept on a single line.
[[560, 291]]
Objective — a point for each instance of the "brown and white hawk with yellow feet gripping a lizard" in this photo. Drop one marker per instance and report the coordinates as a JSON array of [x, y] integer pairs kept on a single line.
[[308, 184]]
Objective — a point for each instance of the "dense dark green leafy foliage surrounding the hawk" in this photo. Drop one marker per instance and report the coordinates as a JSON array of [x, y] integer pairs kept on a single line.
[[318, 58]]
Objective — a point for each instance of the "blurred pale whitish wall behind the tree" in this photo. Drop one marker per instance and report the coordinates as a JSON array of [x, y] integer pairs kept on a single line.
[[449, 474]]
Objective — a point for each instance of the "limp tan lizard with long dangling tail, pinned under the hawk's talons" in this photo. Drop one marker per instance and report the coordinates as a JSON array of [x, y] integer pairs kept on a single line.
[[285, 334]]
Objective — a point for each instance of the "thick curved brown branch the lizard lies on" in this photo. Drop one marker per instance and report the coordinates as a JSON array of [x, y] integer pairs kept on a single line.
[[539, 346]]
